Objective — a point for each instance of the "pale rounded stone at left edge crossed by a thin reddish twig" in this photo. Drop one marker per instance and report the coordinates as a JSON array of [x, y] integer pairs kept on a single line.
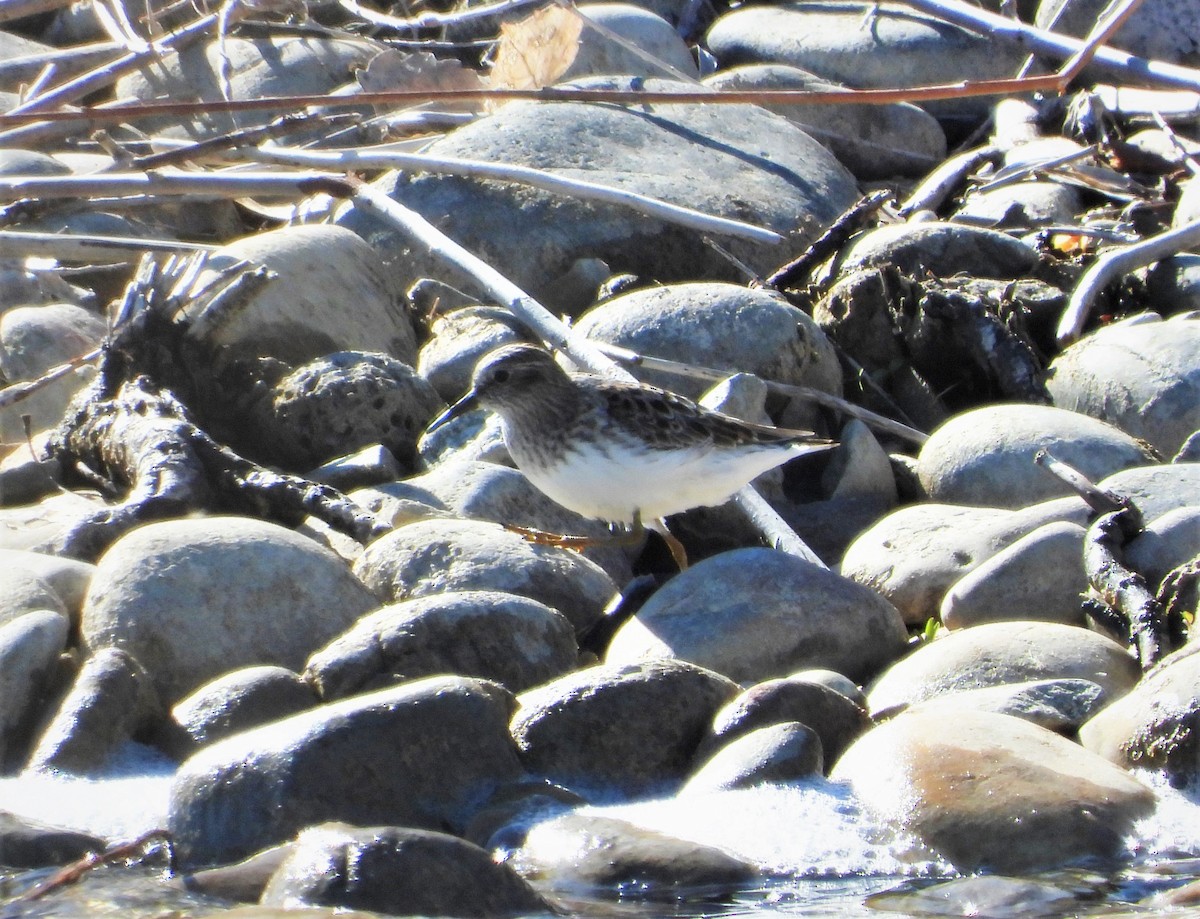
[[33, 340]]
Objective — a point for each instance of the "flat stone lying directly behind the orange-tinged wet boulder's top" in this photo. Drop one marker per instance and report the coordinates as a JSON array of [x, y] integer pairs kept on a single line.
[[1057, 705]]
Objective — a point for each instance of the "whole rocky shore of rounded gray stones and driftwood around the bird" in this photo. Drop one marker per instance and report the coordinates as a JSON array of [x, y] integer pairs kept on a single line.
[[225, 536]]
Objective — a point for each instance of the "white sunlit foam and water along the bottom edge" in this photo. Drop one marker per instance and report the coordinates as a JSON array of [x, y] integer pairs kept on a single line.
[[827, 858]]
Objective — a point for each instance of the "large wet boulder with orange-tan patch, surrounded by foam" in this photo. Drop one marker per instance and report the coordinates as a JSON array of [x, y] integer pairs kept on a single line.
[[994, 794]]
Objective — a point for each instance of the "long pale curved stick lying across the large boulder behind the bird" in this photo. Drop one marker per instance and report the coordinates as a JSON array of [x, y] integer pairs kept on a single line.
[[351, 160]]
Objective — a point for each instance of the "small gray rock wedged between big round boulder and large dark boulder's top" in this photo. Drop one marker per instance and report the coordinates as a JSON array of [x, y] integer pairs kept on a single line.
[[243, 700]]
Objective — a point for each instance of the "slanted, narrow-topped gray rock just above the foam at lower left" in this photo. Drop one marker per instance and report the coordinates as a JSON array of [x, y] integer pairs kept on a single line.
[[111, 704]]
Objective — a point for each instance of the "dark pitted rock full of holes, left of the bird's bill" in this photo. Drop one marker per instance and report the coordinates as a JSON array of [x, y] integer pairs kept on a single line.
[[345, 401]]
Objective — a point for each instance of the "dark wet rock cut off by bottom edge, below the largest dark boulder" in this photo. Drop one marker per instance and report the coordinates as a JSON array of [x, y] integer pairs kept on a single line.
[[399, 872]]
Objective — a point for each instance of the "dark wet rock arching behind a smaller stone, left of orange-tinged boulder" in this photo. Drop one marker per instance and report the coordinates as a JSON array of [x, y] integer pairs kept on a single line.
[[835, 718]]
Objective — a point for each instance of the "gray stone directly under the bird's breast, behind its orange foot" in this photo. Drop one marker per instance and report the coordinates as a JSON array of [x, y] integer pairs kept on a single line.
[[502, 495]]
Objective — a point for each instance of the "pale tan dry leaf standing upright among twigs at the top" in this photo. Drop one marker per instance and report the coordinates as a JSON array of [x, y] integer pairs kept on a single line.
[[537, 51]]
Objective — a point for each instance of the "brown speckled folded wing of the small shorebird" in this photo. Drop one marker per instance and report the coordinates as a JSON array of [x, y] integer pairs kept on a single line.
[[668, 422]]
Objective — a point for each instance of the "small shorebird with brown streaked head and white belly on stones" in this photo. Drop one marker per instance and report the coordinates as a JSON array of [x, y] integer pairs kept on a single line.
[[622, 453]]
